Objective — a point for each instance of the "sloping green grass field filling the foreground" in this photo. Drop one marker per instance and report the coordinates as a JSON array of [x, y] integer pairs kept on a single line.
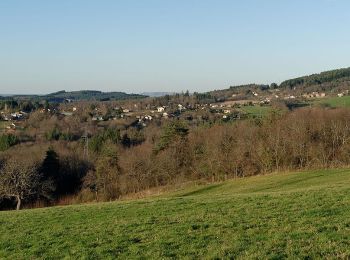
[[294, 215]]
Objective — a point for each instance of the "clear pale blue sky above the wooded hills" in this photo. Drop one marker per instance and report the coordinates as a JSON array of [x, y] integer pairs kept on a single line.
[[167, 45]]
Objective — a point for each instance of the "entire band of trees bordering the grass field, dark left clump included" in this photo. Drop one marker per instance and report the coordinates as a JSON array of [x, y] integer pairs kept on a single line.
[[175, 153]]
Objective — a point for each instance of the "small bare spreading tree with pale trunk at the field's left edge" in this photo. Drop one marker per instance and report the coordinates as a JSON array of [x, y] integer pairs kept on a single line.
[[19, 180]]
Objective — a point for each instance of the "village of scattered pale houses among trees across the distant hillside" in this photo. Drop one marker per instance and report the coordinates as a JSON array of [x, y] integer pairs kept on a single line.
[[253, 103]]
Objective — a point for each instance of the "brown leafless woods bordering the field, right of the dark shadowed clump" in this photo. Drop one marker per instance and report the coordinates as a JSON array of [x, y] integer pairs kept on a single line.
[[304, 139]]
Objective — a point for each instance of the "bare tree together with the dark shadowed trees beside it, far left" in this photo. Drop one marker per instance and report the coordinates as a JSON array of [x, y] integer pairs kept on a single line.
[[27, 179]]
